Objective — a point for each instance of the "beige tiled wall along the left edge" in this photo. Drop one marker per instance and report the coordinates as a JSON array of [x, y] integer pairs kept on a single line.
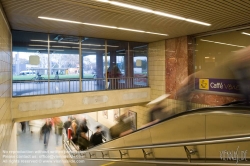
[[7, 127]]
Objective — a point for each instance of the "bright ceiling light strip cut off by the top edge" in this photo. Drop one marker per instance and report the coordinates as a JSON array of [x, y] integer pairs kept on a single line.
[[154, 12]]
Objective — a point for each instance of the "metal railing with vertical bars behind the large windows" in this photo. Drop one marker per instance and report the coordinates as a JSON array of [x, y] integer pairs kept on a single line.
[[43, 87]]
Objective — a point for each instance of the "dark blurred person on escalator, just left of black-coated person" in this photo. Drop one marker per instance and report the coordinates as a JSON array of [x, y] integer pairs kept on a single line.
[[82, 139]]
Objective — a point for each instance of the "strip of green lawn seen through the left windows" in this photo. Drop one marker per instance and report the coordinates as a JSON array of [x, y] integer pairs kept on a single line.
[[29, 77]]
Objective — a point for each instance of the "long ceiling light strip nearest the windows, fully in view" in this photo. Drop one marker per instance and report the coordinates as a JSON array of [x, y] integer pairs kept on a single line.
[[103, 26]]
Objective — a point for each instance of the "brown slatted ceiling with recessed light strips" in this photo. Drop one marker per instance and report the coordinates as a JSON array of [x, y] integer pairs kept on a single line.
[[23, 15]]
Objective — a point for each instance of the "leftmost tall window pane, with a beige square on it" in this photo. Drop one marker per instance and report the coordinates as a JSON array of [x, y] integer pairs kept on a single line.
[[30, 63]]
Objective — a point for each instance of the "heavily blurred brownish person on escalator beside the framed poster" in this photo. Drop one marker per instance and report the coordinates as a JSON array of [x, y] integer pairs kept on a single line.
[[123, 127]]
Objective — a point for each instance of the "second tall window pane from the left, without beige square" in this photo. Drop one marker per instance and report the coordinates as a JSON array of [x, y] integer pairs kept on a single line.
[[64, 63]]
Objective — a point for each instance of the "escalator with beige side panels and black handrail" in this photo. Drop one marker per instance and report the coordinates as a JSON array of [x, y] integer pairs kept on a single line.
[[205, 136]]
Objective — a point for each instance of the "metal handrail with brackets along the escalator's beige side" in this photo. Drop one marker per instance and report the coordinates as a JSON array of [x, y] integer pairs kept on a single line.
[[147, 151]]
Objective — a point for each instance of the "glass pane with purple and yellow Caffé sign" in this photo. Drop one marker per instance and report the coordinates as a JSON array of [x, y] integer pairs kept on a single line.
[[214, 67]]
